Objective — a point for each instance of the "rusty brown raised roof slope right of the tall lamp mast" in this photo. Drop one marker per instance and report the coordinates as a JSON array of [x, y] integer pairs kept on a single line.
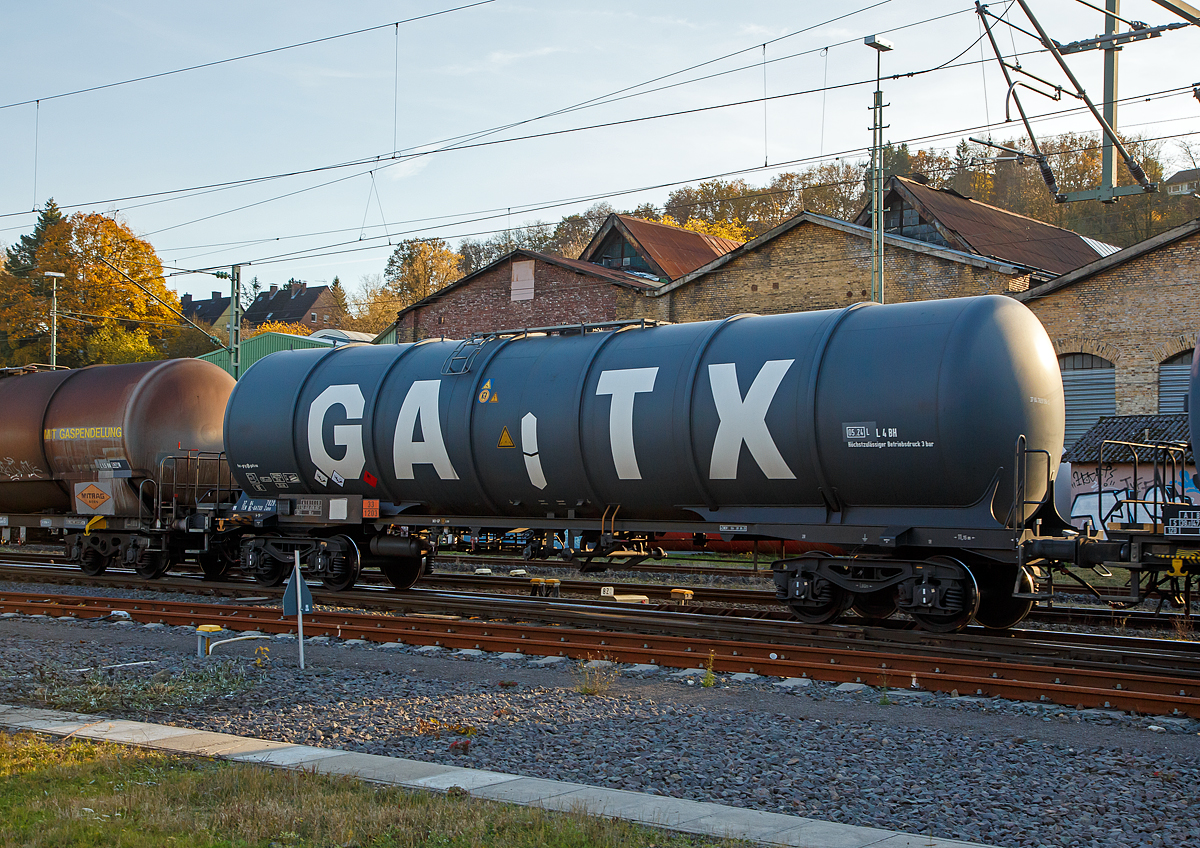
[[994, 232]]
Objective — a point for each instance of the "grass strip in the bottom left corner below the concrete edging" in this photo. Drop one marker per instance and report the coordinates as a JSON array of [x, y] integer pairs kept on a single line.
[[77, 793]]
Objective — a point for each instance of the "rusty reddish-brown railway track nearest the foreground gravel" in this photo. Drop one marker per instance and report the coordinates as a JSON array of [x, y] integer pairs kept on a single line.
[[1145, 676]]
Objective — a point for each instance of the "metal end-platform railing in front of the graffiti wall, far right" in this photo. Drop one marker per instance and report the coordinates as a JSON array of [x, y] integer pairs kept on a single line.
[[1167, 484]]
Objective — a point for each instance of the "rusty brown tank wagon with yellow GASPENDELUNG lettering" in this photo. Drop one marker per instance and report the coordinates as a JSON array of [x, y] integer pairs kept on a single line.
[[95, 449]]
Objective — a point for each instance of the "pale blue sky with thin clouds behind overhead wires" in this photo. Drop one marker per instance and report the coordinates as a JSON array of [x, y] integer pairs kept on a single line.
[[455, 118]]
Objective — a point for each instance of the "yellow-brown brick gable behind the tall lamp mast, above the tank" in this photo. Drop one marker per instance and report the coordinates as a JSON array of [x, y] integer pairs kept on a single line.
[[814, 262]]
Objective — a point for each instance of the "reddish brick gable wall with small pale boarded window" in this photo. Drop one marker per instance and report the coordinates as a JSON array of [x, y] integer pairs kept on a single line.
[[523, 290]]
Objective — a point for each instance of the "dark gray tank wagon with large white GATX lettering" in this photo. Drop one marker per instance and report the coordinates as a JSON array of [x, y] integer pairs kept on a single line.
[[891, 431]]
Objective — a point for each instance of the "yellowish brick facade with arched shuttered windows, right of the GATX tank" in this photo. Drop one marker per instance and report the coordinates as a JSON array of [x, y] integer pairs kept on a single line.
[[1125, 328]]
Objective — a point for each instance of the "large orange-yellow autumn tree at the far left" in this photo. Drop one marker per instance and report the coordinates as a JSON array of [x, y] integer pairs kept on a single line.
[[109, 273]]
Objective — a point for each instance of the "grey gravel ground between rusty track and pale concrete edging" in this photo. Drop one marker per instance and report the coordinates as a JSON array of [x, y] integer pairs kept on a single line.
[[987, 771]]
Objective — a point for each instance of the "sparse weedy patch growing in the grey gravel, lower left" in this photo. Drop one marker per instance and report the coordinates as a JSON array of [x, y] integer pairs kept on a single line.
[[105, 691]]
